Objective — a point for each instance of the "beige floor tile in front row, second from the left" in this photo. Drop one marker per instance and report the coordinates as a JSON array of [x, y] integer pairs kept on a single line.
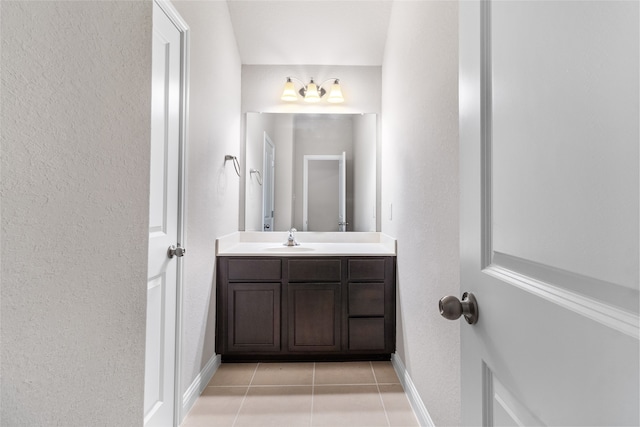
[[276, 406]]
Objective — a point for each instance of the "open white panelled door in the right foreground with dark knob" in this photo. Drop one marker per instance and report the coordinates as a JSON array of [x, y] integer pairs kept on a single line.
[[549, 212]]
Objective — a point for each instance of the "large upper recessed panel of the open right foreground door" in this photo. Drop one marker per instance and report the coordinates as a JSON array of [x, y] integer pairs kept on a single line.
[[564, 171]]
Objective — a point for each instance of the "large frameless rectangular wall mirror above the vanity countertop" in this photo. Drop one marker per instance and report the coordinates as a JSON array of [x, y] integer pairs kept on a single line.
[[296, 137]]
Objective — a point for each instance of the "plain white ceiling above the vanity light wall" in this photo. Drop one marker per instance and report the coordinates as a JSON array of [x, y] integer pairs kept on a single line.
[[323, 32]]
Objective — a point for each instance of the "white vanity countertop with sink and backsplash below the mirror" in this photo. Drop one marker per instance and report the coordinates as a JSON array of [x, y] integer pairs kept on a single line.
[[311, 244]]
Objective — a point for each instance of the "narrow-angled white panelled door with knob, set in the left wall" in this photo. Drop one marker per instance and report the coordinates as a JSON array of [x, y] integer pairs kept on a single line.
[[164, 229]]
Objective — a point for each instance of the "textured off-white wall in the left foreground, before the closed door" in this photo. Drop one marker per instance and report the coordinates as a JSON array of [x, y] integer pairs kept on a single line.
[[76, 97]]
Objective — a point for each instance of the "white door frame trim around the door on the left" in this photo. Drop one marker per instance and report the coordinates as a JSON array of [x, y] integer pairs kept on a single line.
[[184, 30]]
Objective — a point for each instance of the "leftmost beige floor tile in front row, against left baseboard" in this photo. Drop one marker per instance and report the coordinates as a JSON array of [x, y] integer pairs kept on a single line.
[[216, 406]]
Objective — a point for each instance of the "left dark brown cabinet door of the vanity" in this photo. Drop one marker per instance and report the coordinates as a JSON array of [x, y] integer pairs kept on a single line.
[[254, 317]]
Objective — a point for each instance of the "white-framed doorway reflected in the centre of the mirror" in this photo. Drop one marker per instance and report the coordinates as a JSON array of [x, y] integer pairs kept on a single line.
[[324, 193]]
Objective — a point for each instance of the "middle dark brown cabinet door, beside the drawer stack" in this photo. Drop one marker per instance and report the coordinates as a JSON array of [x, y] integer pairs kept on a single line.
[[314, 316]]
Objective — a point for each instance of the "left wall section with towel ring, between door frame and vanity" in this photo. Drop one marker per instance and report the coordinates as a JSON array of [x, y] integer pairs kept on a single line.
[[212, 184]]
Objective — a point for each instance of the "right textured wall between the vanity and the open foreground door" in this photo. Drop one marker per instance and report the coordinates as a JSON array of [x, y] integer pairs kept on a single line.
[[420, 180]]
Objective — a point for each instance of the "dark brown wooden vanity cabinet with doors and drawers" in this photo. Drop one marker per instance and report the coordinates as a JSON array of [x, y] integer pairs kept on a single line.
[[288, 308]]
